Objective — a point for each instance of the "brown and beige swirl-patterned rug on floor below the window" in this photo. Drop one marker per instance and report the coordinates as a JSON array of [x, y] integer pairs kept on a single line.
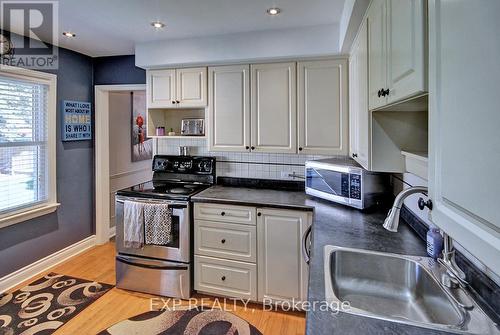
[[46, 304]]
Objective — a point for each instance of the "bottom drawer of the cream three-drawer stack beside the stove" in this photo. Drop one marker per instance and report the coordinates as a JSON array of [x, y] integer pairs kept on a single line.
[[225, 277]]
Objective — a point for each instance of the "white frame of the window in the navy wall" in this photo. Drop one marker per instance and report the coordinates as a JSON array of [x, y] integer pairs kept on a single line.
[[51, 204]]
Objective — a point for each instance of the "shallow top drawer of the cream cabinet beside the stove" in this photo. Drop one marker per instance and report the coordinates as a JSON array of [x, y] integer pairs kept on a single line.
[[225, 213]]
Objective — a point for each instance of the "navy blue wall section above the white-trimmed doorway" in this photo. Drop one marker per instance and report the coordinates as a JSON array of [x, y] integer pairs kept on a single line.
[[116, 70]]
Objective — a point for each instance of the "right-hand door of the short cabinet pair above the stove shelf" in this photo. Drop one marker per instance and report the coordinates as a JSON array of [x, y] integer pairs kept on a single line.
[[192, 87]]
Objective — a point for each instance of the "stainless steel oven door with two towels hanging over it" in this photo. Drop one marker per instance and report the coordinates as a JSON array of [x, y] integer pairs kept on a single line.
[[177, 250]]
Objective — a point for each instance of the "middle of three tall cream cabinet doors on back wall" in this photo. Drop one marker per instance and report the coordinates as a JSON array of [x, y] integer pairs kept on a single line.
[[274, 113]]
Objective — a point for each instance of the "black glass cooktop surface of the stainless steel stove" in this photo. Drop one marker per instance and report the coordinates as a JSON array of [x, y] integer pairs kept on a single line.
[[169, 191]]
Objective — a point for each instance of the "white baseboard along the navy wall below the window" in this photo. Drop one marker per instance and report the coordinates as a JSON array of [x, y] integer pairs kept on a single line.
[[15, 278]]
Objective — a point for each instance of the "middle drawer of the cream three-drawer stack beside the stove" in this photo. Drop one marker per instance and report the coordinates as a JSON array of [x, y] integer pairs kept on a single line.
[[225, 240]]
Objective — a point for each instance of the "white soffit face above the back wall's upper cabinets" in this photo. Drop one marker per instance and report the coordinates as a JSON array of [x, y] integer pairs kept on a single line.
[[249, 46]]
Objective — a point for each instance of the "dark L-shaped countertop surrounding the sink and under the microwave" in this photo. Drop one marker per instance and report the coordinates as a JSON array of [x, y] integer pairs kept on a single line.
[[332, 225]]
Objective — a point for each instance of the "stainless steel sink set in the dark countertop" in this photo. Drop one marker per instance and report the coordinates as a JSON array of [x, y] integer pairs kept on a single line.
[[398, 288]]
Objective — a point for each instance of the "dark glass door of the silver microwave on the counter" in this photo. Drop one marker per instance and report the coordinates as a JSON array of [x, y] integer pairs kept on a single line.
[[327, 184]]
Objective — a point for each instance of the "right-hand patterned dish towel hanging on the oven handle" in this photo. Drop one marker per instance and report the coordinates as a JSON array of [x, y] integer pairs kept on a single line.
[[157, 224]]
